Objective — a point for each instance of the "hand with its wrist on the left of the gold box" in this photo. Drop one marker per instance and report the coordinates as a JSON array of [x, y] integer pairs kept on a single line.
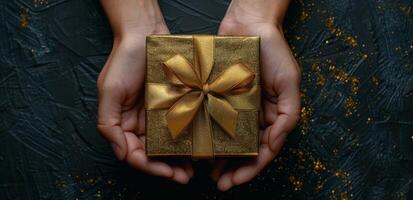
[[121, 113]]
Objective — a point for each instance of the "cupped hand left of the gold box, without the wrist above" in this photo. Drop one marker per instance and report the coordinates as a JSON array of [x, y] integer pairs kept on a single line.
[[121, 115]]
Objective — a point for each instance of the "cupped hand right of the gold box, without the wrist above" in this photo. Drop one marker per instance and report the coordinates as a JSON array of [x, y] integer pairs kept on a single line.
[[280, 80]]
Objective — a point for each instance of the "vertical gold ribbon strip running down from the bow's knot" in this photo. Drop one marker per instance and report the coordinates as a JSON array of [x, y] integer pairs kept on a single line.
[[202, 142]]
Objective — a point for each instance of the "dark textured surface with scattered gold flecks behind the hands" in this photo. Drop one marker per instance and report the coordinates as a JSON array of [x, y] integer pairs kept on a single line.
[[355, 139]]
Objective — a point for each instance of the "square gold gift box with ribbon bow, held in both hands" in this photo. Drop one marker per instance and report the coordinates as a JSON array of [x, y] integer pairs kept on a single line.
[[225, 52]]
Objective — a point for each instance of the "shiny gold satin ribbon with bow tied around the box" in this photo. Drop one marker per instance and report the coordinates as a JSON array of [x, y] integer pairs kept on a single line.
[[190, 98]]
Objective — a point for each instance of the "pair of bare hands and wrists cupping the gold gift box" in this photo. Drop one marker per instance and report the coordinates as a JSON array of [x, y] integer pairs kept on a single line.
[[120, 85]]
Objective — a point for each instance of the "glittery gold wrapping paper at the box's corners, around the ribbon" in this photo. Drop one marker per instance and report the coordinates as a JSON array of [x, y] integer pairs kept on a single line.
[[228, 50]]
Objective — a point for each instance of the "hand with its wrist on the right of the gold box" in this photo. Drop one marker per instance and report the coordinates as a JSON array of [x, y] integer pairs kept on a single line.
[[280, 75]]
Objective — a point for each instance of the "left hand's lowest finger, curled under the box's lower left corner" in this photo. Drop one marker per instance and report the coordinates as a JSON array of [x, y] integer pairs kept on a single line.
[[138, 159]]
